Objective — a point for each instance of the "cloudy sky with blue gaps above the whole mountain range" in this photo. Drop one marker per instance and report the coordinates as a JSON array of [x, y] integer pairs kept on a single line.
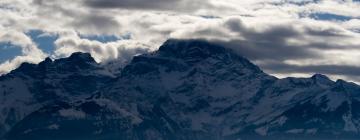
[[283, 37]]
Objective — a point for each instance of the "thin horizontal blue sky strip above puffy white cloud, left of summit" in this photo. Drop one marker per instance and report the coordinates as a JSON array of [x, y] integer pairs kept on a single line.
[[106, 38]]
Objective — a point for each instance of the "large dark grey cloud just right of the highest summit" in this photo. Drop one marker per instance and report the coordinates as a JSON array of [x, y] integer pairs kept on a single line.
[[270, 44]]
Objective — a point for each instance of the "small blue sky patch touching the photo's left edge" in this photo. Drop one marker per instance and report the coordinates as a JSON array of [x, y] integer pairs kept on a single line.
[[8, 51]]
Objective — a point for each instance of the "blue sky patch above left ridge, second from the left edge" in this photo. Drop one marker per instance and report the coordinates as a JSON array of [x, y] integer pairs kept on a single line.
[[44, 41]]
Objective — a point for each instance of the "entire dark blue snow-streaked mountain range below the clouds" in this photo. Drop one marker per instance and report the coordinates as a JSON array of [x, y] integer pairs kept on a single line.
[[187, 90]]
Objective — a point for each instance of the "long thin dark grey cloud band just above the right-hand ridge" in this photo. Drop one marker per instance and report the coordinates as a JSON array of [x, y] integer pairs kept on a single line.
[[323, 69]]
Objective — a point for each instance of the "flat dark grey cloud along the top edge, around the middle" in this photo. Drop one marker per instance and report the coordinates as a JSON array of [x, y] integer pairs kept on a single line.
[[179, 5]]
